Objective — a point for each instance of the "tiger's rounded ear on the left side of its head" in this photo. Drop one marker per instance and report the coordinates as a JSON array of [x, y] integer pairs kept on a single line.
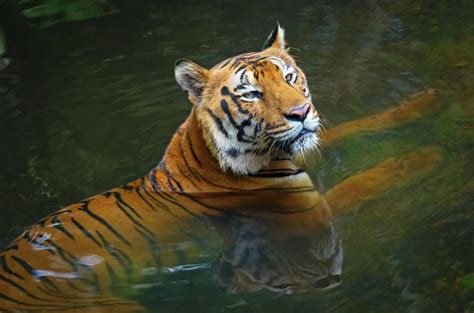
[[191, 77]]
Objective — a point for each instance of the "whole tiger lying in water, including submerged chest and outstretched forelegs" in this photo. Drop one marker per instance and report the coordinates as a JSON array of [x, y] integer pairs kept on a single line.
[[230, 163]]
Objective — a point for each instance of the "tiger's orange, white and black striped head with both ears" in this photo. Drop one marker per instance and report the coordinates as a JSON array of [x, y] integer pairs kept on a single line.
[[252, 108]]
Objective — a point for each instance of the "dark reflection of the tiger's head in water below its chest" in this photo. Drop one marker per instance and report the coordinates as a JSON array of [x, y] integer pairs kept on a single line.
[[260, 254]]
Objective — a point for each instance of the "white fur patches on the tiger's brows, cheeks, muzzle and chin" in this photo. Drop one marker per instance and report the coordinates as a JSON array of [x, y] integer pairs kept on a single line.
[[244, 157]]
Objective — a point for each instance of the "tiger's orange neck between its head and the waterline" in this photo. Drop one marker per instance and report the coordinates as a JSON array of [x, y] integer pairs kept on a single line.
[[188, 166]]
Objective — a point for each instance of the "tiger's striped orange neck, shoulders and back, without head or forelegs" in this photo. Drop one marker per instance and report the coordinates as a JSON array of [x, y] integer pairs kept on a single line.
[[85, 249]]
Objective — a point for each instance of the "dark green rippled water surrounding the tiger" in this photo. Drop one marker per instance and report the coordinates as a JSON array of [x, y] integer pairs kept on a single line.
[[100, 104]]
